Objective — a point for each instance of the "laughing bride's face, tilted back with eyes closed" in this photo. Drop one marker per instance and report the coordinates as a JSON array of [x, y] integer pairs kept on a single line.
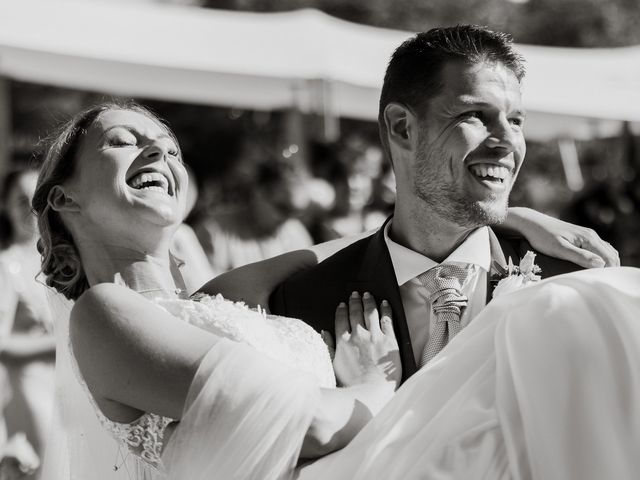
[[129, 175]]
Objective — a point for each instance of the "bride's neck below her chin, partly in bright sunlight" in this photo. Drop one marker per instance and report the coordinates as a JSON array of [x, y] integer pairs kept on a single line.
[[151, 274]]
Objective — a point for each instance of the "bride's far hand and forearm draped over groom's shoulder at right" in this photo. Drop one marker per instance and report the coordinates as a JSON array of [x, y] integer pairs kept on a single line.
[[561, 239]]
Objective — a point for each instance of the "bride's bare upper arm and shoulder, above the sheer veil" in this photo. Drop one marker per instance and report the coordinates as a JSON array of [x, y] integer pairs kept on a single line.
[[133, 355]]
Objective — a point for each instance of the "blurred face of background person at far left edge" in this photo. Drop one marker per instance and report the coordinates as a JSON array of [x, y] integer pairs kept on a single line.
[[19, 197]]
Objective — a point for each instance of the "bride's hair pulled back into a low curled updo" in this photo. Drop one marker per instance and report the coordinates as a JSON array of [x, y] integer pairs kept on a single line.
[[61, 262]]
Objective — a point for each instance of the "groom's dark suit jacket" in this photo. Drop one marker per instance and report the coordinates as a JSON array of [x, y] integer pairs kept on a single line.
[[313, 295]]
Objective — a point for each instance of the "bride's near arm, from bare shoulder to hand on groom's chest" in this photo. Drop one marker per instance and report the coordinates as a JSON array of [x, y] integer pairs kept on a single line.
[[135, 357]]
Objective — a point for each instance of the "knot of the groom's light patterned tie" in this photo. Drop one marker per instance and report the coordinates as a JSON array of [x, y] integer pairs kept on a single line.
[[444, 284]]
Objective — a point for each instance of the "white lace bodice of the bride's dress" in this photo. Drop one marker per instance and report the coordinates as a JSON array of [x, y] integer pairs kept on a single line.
[[288, 340]]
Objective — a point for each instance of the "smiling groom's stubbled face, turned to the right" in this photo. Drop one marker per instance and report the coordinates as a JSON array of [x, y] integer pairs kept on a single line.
[[470, 144]]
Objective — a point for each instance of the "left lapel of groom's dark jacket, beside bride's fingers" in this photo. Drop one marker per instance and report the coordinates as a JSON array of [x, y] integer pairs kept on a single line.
[[377, 276]]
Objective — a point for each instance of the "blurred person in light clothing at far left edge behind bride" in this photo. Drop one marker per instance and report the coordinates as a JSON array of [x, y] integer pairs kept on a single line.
[[28, 352]]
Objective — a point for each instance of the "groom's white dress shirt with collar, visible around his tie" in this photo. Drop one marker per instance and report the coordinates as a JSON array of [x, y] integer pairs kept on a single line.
[[475, 250]]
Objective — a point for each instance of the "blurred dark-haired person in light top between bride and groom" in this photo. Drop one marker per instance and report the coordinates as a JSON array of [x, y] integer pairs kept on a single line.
[[259, 221]]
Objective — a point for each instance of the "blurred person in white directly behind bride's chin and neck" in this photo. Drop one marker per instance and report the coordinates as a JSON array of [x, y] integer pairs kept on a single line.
[[195, 267]]
